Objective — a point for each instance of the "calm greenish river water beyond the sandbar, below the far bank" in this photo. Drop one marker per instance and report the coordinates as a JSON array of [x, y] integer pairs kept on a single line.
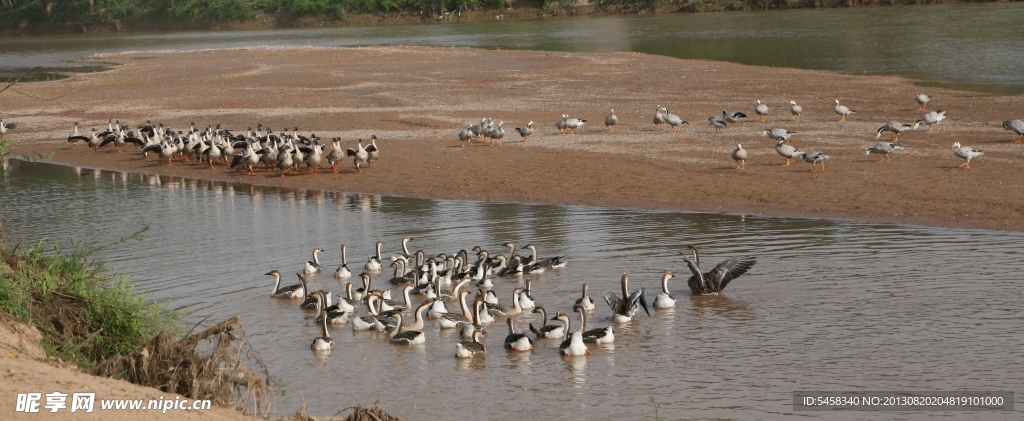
[[972, 47]]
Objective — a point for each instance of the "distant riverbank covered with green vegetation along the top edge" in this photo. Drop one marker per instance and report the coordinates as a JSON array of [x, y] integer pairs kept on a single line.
[[39, 18]]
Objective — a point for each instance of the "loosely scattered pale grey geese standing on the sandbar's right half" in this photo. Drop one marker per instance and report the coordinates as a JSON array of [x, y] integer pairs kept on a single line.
[[487, 130]]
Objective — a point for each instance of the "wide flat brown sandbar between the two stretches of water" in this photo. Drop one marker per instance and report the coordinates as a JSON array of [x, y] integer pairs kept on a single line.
[[417, 99]]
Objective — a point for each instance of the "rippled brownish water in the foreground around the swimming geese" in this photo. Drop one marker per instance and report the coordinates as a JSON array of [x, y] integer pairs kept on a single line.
[[830, 306]]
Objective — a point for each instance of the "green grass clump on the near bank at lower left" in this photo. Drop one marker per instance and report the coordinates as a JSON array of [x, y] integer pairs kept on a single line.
[[84, 313]]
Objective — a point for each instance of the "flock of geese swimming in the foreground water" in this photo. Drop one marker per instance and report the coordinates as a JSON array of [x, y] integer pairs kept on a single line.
[[448, 279]]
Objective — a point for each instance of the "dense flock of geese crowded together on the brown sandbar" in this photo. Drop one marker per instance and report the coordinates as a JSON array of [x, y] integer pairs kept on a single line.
[[287, 151]]
